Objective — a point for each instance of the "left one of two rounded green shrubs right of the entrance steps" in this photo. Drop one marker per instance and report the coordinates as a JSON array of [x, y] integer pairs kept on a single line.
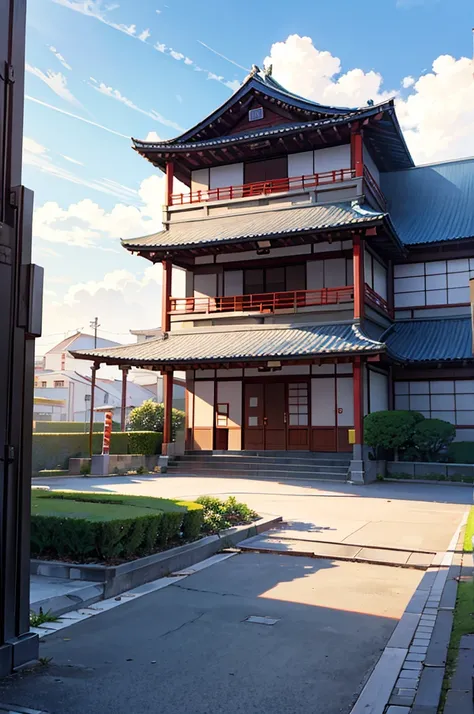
[[390, 430]]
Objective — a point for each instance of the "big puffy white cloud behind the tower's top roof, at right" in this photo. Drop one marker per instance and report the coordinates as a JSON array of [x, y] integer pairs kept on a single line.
[[437, 116]]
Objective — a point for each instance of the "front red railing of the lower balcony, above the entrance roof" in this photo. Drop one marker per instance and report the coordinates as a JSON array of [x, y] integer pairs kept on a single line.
[[264, 302]]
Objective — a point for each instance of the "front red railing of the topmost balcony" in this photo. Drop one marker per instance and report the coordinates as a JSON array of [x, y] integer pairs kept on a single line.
[[260, 188]]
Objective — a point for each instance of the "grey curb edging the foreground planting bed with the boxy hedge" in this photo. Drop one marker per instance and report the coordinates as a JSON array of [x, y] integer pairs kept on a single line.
[[114, 580]]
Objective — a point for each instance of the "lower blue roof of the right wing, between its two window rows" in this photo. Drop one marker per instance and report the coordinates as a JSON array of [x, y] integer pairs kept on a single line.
[[430, 340]]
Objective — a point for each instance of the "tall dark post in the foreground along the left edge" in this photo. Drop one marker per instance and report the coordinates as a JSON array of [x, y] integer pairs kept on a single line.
[[20, 322]]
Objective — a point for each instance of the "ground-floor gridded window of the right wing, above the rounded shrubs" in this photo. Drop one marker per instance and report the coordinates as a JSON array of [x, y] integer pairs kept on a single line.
[[447, 399]]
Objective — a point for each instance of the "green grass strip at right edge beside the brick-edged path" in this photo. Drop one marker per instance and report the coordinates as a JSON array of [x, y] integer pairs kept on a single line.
[[463, 623]]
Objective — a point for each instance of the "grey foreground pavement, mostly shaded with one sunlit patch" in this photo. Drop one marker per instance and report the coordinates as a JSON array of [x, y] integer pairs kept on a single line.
[[190, 647]]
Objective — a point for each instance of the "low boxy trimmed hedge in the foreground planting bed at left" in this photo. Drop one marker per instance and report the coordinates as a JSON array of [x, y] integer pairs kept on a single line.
[[104, 527]]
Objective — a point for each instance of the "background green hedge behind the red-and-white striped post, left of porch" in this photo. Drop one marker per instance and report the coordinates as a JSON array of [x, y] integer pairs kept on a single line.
[[53, 451]]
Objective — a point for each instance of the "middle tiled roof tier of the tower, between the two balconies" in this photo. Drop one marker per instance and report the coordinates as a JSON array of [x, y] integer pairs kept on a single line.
[[225, 229]]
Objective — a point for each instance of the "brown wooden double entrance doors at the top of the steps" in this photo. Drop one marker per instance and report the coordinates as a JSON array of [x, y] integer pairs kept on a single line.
[[276, 416]]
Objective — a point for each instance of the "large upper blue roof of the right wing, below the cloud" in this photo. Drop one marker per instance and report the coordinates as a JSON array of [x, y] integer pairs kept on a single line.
[[428, 204]]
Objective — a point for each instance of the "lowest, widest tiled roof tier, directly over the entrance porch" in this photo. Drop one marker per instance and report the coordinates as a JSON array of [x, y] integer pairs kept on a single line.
[[242, 344]]
